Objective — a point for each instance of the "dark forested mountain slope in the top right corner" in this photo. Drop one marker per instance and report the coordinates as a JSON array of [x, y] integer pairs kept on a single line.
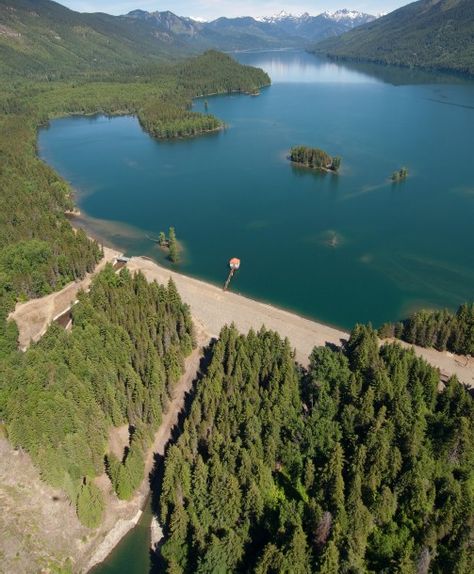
[[436, 34]]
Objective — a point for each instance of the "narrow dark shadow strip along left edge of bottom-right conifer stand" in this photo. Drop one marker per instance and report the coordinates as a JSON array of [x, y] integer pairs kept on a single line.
[[157, 564]]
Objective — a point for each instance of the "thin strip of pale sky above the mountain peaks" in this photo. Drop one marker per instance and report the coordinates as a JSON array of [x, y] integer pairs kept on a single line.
[[211, 9]]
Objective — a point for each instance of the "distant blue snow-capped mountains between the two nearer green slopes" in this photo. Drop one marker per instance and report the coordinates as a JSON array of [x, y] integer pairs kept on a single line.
[[245, 33]]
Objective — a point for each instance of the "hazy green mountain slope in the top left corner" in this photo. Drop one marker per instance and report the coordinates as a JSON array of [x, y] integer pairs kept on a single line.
[[43, 37]]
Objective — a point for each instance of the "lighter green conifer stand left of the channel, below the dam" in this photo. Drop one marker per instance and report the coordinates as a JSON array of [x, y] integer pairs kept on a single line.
[[117, 366]]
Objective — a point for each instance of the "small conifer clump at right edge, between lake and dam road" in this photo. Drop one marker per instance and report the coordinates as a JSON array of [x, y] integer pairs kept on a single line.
[[442, 330]]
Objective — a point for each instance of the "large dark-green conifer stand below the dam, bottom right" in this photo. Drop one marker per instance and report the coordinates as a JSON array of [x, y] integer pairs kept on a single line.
[[358, 465]]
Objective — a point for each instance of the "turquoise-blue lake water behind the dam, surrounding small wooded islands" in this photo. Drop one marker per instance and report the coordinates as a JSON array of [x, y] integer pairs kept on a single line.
[[341, 249]]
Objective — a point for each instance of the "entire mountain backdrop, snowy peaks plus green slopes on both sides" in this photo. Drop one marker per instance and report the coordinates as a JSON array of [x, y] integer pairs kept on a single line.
[[44, 37]]
